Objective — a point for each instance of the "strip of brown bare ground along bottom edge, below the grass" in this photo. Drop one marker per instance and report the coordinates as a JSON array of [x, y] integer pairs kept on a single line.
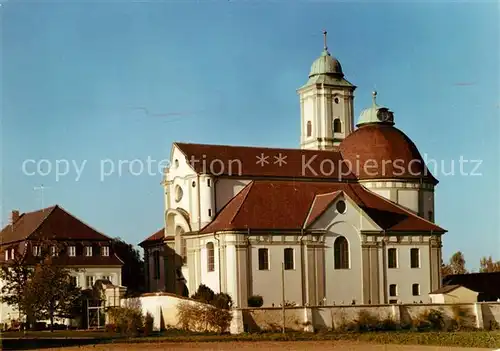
[[265, 345]]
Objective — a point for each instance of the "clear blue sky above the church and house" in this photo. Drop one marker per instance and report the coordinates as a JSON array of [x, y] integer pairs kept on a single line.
[[73, 72]]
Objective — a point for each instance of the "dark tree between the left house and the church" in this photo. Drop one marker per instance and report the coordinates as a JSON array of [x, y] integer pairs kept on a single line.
[[133, 266]]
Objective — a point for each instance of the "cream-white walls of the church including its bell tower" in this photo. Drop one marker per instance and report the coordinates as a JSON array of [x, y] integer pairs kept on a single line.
[[378, 267]]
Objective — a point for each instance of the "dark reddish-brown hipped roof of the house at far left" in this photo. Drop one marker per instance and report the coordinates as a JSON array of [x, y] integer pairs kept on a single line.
[[52, 222]]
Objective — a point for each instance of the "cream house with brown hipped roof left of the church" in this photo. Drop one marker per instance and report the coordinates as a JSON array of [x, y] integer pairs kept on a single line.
[[88, 253]]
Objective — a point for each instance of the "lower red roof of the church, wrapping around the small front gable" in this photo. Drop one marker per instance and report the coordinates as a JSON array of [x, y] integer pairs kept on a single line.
[[286, 205]]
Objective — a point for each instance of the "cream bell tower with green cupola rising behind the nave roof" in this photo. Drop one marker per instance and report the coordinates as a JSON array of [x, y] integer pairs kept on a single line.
[[326, 104]]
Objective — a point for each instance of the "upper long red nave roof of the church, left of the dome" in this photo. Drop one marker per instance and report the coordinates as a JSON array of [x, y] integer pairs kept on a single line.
[[242, 161]]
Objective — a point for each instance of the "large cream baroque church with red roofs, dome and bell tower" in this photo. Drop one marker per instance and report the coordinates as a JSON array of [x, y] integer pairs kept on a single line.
[[347, 218]]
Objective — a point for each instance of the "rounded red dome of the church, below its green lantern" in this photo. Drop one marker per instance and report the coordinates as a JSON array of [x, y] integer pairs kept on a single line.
[[381, 151]]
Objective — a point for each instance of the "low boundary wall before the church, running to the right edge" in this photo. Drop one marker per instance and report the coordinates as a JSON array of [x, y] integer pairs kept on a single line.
[[474, 315]]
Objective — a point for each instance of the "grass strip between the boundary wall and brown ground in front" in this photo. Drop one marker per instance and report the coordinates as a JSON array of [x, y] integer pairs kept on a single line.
[[30, 340]]
